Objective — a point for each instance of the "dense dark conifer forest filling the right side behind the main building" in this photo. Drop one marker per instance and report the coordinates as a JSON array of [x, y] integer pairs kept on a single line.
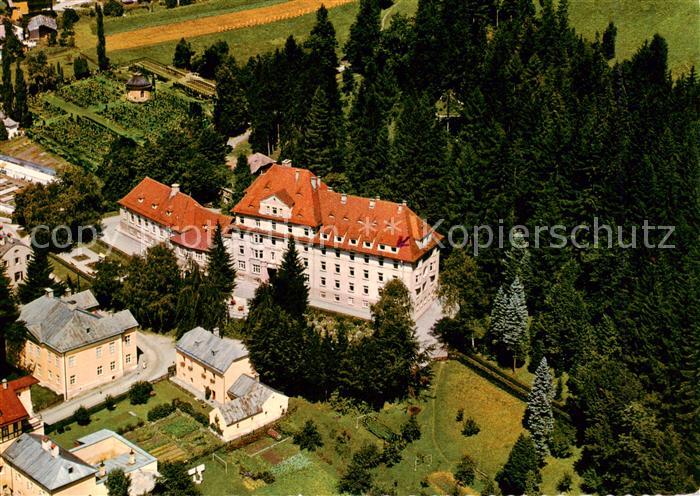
[[481, 112]]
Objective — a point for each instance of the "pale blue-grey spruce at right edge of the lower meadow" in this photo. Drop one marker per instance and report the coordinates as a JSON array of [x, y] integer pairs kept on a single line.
[[539, 419]]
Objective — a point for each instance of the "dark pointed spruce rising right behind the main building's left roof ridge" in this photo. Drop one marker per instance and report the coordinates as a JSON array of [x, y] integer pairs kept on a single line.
[[319, 143]]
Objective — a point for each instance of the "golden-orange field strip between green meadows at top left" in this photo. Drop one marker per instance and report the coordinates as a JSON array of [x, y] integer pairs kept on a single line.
[[217, 23]]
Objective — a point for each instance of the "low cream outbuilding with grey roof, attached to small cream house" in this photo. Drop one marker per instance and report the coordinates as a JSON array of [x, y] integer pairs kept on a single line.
[[252, 405]]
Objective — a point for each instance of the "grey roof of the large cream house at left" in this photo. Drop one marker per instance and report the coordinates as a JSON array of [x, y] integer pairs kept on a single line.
[[64, 327]]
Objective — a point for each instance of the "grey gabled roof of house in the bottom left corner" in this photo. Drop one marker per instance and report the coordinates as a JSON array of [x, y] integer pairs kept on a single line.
[[27, 454]]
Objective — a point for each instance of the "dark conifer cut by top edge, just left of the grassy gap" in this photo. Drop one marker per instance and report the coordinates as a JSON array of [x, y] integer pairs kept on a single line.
[[364, 35]]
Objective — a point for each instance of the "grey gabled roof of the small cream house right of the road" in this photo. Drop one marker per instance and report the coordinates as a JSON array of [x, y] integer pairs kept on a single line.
[[214, 351]]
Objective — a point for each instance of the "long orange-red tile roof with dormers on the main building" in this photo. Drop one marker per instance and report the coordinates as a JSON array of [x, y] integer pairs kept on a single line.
[[348, 216]]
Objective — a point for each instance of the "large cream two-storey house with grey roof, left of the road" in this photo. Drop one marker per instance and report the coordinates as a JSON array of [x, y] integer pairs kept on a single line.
[[73, 346]]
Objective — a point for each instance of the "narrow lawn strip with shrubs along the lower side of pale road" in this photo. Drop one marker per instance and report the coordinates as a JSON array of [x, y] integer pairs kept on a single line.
[[125, 413]]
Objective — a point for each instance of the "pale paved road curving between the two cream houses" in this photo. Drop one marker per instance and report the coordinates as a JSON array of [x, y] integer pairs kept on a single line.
[[158, 352]]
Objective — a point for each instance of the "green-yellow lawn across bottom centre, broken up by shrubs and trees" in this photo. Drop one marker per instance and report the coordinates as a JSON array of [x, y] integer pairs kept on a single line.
[[432, 458]]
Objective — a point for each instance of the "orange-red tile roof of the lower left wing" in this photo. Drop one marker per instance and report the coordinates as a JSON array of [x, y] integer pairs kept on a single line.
[[191, 223]]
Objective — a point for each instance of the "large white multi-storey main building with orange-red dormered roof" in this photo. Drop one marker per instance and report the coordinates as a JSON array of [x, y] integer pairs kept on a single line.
[[350, 245]]
